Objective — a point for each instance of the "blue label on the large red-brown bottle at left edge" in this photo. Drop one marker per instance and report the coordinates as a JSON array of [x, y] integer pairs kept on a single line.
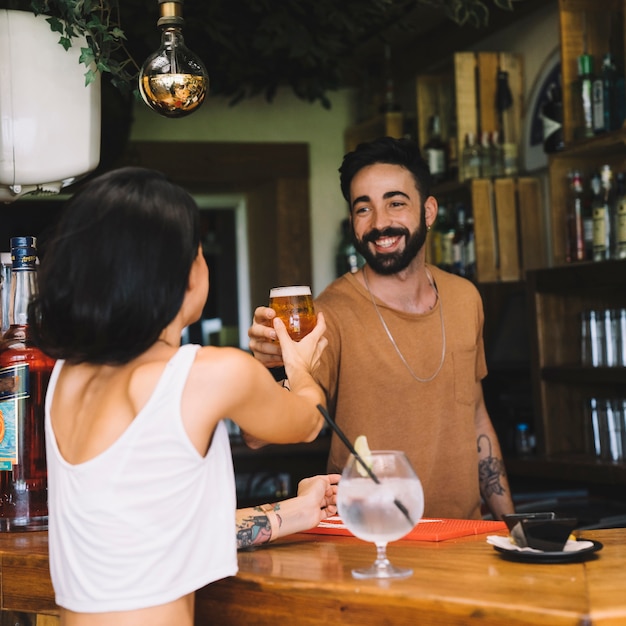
[[14, 386]]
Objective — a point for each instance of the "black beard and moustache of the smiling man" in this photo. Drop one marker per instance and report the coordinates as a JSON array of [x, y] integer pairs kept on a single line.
[[387, 264]]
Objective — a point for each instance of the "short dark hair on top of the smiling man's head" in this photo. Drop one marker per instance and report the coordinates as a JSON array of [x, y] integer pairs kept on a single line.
[[404, 152]]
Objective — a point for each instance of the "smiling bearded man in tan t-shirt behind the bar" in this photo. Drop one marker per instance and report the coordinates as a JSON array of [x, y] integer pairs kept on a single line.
[[405, 355]]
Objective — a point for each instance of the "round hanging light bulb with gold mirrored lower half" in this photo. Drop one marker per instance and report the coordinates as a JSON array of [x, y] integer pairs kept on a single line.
[[173, 80]]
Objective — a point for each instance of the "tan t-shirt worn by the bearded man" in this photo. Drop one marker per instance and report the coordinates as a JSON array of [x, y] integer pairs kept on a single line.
[[371, 392]]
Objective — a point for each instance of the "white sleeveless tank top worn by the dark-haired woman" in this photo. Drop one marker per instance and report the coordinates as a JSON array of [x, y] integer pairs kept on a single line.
[[148, 520]]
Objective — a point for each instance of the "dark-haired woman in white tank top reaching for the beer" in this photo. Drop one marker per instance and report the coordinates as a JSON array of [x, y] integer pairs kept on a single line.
[[140, 478]]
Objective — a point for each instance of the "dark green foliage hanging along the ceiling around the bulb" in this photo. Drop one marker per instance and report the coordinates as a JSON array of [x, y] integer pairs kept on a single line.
[[250, 46]]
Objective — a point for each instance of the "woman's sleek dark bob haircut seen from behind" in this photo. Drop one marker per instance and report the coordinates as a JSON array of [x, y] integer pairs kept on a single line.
[[115, 272]]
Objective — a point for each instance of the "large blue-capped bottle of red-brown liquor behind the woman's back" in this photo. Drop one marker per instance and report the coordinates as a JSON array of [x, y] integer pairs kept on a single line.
[[24, 375]]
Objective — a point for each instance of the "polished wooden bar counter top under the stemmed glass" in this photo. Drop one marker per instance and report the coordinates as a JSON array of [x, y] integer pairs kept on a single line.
[[305, 580]]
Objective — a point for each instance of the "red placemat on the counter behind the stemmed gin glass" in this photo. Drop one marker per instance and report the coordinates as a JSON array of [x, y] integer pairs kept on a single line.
[[428, 529]]
